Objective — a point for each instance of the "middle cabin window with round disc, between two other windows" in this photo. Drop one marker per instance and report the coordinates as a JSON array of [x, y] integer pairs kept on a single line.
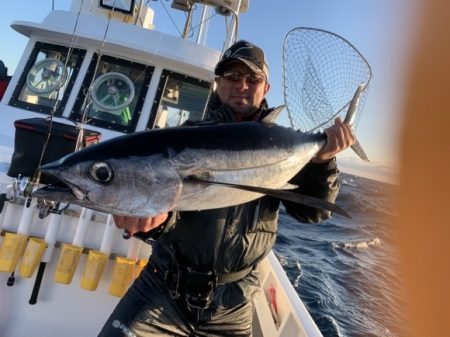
[[118, 89]]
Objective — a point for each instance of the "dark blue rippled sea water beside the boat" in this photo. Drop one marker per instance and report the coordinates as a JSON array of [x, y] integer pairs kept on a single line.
[[346, 270]]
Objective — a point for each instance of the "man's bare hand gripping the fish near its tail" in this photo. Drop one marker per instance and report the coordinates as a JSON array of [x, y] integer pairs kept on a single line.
[[339, 137]]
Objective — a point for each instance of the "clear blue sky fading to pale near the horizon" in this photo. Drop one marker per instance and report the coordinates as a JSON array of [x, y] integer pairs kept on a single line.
[[382, 30]]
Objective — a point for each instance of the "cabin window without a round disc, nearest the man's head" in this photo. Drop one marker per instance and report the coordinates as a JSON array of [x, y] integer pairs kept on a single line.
[[179, 98]]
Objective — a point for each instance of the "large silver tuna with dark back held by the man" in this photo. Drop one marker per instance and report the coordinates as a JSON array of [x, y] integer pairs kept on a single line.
[[189, 168]]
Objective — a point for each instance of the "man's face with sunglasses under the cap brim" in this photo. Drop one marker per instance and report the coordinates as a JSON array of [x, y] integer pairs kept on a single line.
[[241, 95]]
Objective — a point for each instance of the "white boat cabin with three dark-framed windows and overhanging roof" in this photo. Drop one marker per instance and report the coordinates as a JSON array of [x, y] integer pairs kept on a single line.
[[107, 68]]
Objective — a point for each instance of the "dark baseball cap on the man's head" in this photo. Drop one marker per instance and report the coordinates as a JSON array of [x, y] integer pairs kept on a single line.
[[246, 52]]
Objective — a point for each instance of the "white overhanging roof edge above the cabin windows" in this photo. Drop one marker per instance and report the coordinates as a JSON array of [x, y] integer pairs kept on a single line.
[[148, 46]]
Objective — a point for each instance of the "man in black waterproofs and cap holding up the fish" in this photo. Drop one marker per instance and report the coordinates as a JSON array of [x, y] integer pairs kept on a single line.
[[201, 276]]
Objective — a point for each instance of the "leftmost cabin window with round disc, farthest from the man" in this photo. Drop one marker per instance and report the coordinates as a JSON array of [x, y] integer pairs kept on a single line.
[[48, 78]]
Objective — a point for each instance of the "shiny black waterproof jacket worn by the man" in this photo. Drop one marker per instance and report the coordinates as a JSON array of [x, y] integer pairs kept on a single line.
[[230, 239]]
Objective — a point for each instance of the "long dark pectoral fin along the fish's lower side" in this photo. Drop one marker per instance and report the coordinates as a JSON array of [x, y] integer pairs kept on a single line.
[[288, 195]]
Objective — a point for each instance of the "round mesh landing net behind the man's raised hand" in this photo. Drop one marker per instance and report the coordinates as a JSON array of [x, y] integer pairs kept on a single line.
[[321, 72]]
